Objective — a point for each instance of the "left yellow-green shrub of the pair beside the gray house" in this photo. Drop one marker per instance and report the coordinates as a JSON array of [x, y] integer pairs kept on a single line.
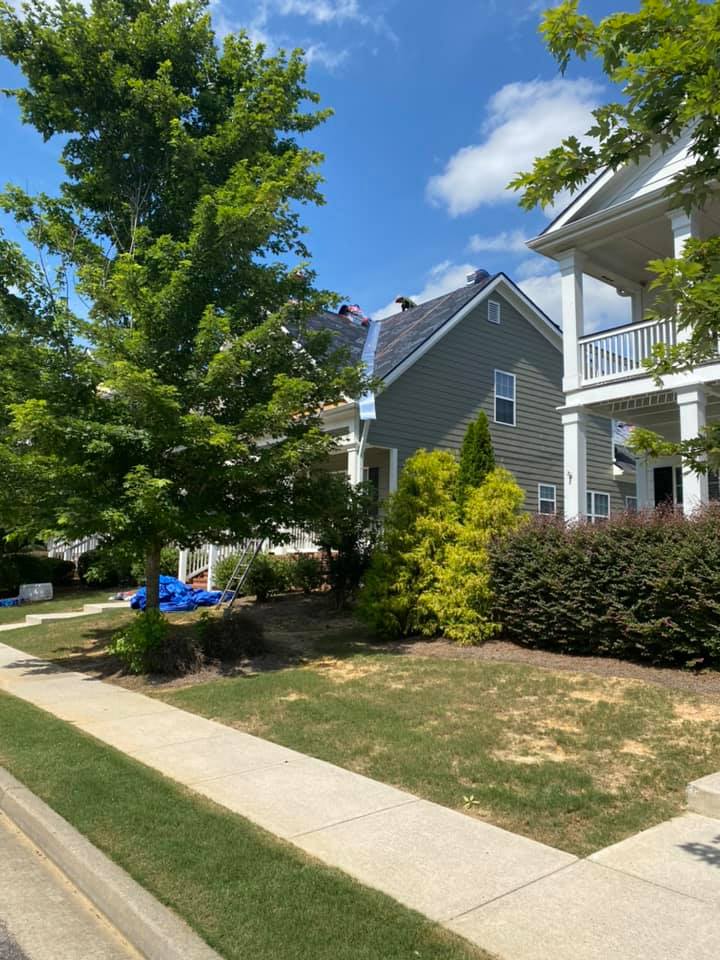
[[421, 520]]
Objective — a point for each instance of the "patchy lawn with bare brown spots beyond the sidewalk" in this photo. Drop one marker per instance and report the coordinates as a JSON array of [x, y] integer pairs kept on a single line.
[[573, 760]]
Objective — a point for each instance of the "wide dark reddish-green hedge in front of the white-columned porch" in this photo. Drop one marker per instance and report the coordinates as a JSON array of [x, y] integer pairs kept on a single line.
[[643, 587]]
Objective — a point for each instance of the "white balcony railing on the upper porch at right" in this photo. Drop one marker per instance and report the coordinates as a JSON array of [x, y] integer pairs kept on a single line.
[[619, 353]]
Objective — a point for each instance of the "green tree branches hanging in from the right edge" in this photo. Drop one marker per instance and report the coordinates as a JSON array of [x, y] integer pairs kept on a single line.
[[663, 60]]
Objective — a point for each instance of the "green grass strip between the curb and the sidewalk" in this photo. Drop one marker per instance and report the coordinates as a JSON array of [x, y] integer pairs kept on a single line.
[[246, 893]]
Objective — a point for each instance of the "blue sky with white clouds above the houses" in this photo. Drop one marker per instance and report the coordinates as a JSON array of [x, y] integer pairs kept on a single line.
[[436, 106]]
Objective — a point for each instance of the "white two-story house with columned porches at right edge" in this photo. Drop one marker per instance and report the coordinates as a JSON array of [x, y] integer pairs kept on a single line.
[[610, 231]]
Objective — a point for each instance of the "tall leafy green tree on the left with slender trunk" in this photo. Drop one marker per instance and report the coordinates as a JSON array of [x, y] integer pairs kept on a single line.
[[173, 388]]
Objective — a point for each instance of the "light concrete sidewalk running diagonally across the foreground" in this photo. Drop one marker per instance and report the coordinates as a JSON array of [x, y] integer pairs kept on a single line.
[[654, 896]]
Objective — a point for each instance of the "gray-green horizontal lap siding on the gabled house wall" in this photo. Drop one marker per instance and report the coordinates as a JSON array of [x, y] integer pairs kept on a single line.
[[431, 404]]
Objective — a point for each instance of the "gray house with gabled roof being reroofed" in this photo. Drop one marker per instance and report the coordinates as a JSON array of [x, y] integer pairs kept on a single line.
[[485, 346]]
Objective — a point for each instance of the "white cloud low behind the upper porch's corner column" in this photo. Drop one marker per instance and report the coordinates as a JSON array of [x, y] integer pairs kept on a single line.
[[603, 307]]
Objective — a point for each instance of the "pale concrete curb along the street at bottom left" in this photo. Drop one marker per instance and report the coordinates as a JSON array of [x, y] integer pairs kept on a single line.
[[152, 929]]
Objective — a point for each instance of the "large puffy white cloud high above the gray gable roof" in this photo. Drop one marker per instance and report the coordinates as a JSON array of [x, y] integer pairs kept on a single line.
[[524, 120]]
